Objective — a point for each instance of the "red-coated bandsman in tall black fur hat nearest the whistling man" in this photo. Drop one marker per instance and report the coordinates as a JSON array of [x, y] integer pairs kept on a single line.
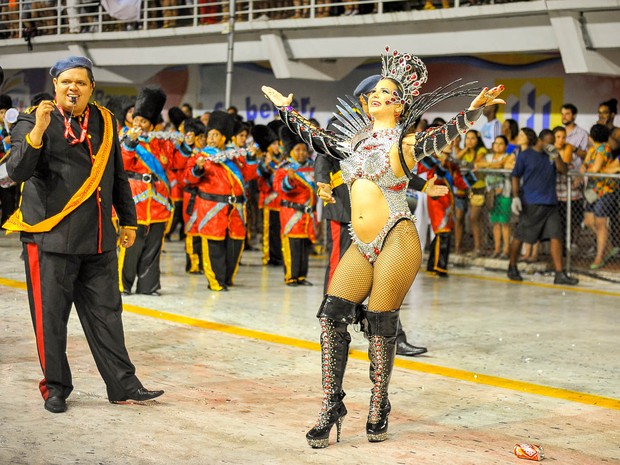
[[148, 158]]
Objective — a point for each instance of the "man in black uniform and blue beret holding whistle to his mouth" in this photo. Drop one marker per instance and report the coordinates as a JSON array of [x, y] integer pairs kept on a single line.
[[68, 156]]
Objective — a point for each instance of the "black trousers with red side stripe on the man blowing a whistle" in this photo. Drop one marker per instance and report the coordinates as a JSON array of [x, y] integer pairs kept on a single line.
[[55, 282]]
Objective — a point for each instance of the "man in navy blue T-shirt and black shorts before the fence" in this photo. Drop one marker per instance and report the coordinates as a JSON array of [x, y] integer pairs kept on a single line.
[[536, 203]]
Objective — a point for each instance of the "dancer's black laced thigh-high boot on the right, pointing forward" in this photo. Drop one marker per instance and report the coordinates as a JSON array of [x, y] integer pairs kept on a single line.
[[381, 330]]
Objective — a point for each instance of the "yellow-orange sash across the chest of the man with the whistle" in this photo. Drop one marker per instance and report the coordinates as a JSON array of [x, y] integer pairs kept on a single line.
[[16, 223]]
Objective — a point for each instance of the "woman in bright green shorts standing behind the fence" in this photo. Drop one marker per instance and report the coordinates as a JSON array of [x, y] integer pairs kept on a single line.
[[498, 200]]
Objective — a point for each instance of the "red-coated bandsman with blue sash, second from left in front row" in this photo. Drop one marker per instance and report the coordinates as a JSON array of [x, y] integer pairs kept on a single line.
[[215, 194]]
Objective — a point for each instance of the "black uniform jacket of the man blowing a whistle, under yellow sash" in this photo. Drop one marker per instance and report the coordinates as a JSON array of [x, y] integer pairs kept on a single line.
[[53, 173]]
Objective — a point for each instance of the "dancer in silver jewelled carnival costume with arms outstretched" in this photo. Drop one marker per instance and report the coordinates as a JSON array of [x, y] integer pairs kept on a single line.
[[376, 156]]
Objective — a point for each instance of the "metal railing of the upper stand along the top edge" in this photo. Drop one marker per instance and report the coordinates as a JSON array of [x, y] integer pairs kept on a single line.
[[28, 19]]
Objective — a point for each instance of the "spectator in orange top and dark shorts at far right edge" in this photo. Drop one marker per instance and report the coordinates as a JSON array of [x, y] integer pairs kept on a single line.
[[600, 194]]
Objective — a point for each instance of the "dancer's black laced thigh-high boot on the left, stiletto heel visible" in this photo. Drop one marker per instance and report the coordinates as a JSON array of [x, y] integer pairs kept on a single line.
[[334, 315]]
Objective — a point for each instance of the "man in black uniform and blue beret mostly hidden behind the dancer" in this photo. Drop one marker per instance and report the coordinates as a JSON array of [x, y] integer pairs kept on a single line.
[[338, 214]]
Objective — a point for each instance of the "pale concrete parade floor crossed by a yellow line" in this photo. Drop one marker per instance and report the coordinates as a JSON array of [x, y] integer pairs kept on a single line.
[[507, 363]]
